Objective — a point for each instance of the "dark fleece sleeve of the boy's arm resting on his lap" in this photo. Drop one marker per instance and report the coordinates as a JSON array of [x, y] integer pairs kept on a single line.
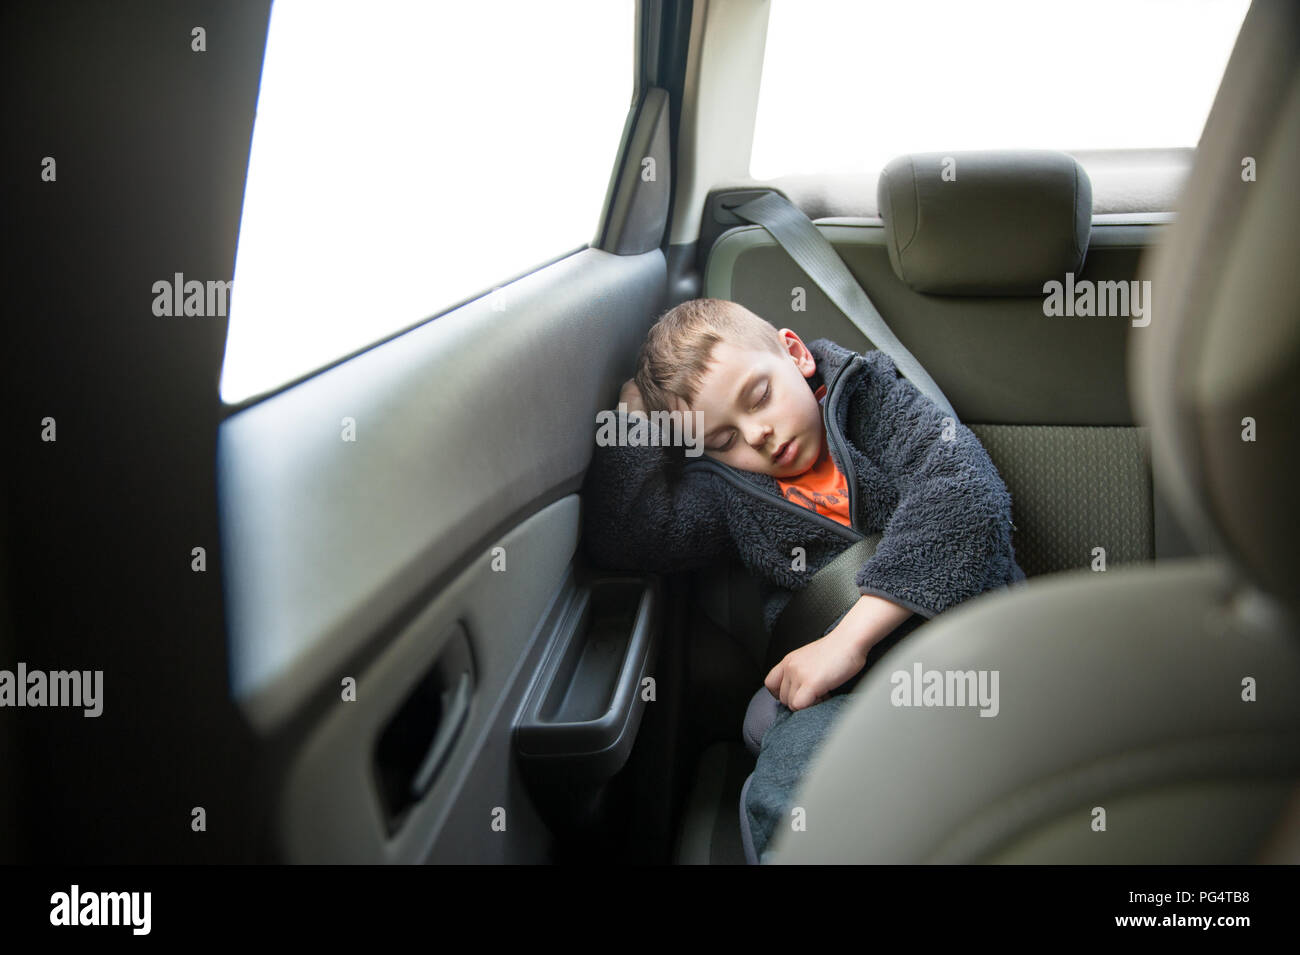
[[950, 537]]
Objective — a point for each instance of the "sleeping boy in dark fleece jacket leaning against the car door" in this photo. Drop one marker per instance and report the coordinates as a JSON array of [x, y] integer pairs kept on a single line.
[[808, 448]]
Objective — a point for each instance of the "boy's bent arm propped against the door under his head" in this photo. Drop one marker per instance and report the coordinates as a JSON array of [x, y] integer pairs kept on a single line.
[[642, 514]]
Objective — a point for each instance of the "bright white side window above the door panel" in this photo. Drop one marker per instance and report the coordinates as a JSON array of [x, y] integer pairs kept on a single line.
[[409, 157]]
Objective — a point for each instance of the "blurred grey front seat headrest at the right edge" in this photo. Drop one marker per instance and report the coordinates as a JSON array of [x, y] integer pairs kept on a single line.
[[1216, 374]]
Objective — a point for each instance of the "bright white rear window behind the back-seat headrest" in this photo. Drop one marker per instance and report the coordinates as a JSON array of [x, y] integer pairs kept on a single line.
[[850, 85]]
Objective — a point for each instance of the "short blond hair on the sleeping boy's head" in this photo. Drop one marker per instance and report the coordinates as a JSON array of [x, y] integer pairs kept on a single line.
[[678, 351]]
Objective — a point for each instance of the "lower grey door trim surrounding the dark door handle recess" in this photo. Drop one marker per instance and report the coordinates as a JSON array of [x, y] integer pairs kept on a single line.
[[331, 810]]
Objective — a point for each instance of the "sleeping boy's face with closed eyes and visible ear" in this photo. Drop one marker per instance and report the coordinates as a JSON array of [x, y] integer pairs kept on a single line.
[[760, 414]]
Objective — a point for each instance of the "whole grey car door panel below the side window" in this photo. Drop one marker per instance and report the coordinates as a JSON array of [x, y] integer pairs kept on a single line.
[[362, 511]]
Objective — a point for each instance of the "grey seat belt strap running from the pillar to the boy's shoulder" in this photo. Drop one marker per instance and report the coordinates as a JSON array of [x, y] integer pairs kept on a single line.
[[811, 250]]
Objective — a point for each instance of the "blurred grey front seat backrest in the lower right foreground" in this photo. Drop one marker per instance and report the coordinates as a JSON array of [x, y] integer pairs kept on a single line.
[[1147, 687]]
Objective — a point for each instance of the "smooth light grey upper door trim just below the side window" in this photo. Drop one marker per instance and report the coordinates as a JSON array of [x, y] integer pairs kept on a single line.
[[463, 426]]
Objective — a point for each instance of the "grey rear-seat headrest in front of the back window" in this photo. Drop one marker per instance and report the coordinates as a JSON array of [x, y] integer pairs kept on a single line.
[[986, 223]]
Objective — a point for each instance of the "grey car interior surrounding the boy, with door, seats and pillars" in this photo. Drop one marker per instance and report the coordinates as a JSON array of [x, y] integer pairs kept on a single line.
[[400, 650]]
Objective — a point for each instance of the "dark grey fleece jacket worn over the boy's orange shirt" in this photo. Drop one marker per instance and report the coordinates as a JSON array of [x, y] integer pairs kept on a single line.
[[937, 498]]
